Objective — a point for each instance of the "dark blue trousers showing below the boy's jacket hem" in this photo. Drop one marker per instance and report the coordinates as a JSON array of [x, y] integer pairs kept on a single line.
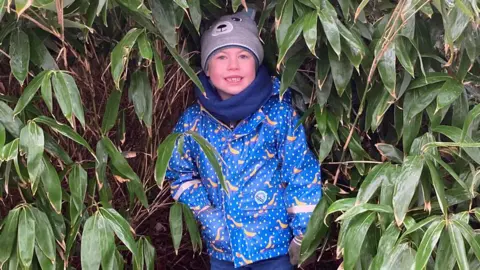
[[277, 263]]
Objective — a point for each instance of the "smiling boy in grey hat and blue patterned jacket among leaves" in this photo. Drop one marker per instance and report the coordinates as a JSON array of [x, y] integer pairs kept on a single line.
[[272, 177]]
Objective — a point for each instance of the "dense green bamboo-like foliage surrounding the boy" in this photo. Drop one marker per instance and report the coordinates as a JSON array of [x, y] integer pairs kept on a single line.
[[389, 92]]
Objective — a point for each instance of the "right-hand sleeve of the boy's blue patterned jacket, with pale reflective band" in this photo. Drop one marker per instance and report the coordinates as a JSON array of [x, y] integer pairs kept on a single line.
[[301, 174]]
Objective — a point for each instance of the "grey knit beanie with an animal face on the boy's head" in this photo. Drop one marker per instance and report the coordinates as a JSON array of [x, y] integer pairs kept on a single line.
[[232, 30]]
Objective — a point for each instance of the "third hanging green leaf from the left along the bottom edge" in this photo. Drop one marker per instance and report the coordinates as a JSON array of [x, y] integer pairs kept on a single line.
[[44, 236]]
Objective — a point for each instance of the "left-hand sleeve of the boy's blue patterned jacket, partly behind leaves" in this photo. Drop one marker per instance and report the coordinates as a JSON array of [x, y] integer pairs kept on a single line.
[[186, 187]]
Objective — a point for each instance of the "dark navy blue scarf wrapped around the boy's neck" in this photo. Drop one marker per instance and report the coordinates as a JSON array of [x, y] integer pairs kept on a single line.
[[240, 106]]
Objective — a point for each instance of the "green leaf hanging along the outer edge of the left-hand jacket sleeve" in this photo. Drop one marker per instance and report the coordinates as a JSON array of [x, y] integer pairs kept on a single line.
[[164, 153]]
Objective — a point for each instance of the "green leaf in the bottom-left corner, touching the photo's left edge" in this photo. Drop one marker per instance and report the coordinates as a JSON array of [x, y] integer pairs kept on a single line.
[[8, 235]]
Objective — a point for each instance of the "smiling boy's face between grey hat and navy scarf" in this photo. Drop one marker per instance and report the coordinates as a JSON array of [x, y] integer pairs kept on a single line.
[[231, 70]]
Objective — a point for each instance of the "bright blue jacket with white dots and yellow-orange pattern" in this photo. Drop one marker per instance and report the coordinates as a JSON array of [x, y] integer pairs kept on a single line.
[[272, 177]]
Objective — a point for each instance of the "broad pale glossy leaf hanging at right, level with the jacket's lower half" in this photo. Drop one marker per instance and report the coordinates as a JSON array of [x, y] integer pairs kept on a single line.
[[405, 186]]
